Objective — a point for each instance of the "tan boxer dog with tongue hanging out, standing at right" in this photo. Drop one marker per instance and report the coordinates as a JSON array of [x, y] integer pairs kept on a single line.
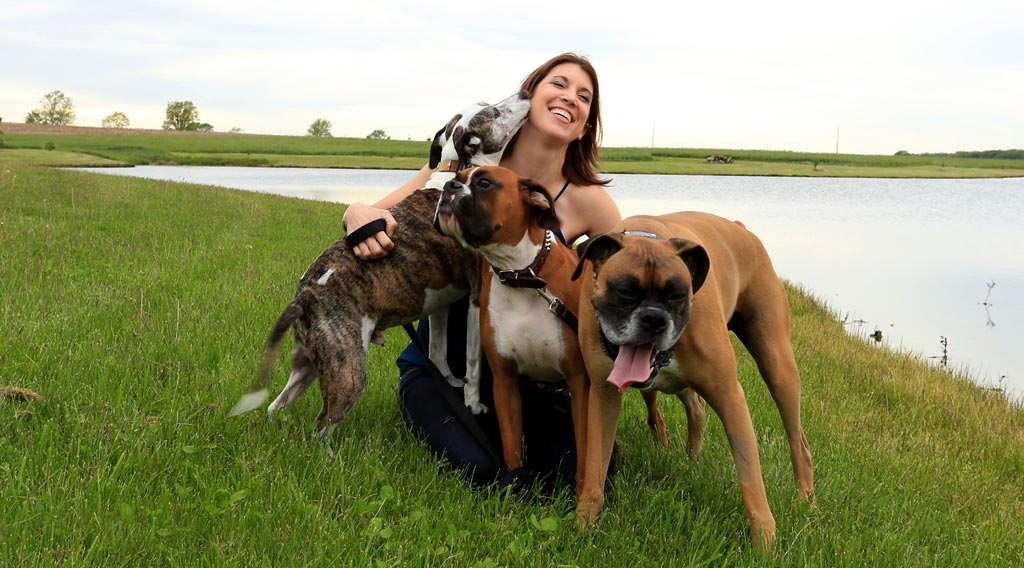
[[658, 303]]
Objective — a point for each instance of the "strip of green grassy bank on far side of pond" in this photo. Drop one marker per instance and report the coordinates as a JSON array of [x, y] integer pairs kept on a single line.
[[80, 147]]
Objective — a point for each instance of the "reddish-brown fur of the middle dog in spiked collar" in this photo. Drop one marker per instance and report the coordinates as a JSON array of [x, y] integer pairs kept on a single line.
[[498, 219]]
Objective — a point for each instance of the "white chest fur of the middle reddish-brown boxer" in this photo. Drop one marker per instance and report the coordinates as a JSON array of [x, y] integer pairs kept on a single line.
[[527, 332]]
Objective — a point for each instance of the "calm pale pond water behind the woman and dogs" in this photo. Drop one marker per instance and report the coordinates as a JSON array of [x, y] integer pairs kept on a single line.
[[937, 267]]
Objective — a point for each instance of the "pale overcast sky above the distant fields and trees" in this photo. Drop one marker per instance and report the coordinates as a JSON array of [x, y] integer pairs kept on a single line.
[[877, 76]]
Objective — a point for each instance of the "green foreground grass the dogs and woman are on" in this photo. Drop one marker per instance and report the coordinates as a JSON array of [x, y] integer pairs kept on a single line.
[[138, 311]]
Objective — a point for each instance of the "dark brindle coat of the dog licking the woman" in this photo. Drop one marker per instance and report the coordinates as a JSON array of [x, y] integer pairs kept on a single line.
[[326, 321]]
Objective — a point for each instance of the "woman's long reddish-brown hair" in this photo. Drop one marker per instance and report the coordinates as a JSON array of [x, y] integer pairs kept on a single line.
[[583, 156]]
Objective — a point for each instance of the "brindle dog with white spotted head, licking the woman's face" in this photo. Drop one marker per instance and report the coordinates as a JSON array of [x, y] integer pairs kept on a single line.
[[344, 303]]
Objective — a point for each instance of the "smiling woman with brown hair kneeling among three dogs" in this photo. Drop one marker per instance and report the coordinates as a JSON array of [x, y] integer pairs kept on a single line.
[[557, 150]]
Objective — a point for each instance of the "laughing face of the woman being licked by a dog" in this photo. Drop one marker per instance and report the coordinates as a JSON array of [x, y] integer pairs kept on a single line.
[[561, 105]]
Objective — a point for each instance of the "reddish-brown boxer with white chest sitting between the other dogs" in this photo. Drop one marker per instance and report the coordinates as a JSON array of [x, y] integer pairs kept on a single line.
[[528, 297]]
